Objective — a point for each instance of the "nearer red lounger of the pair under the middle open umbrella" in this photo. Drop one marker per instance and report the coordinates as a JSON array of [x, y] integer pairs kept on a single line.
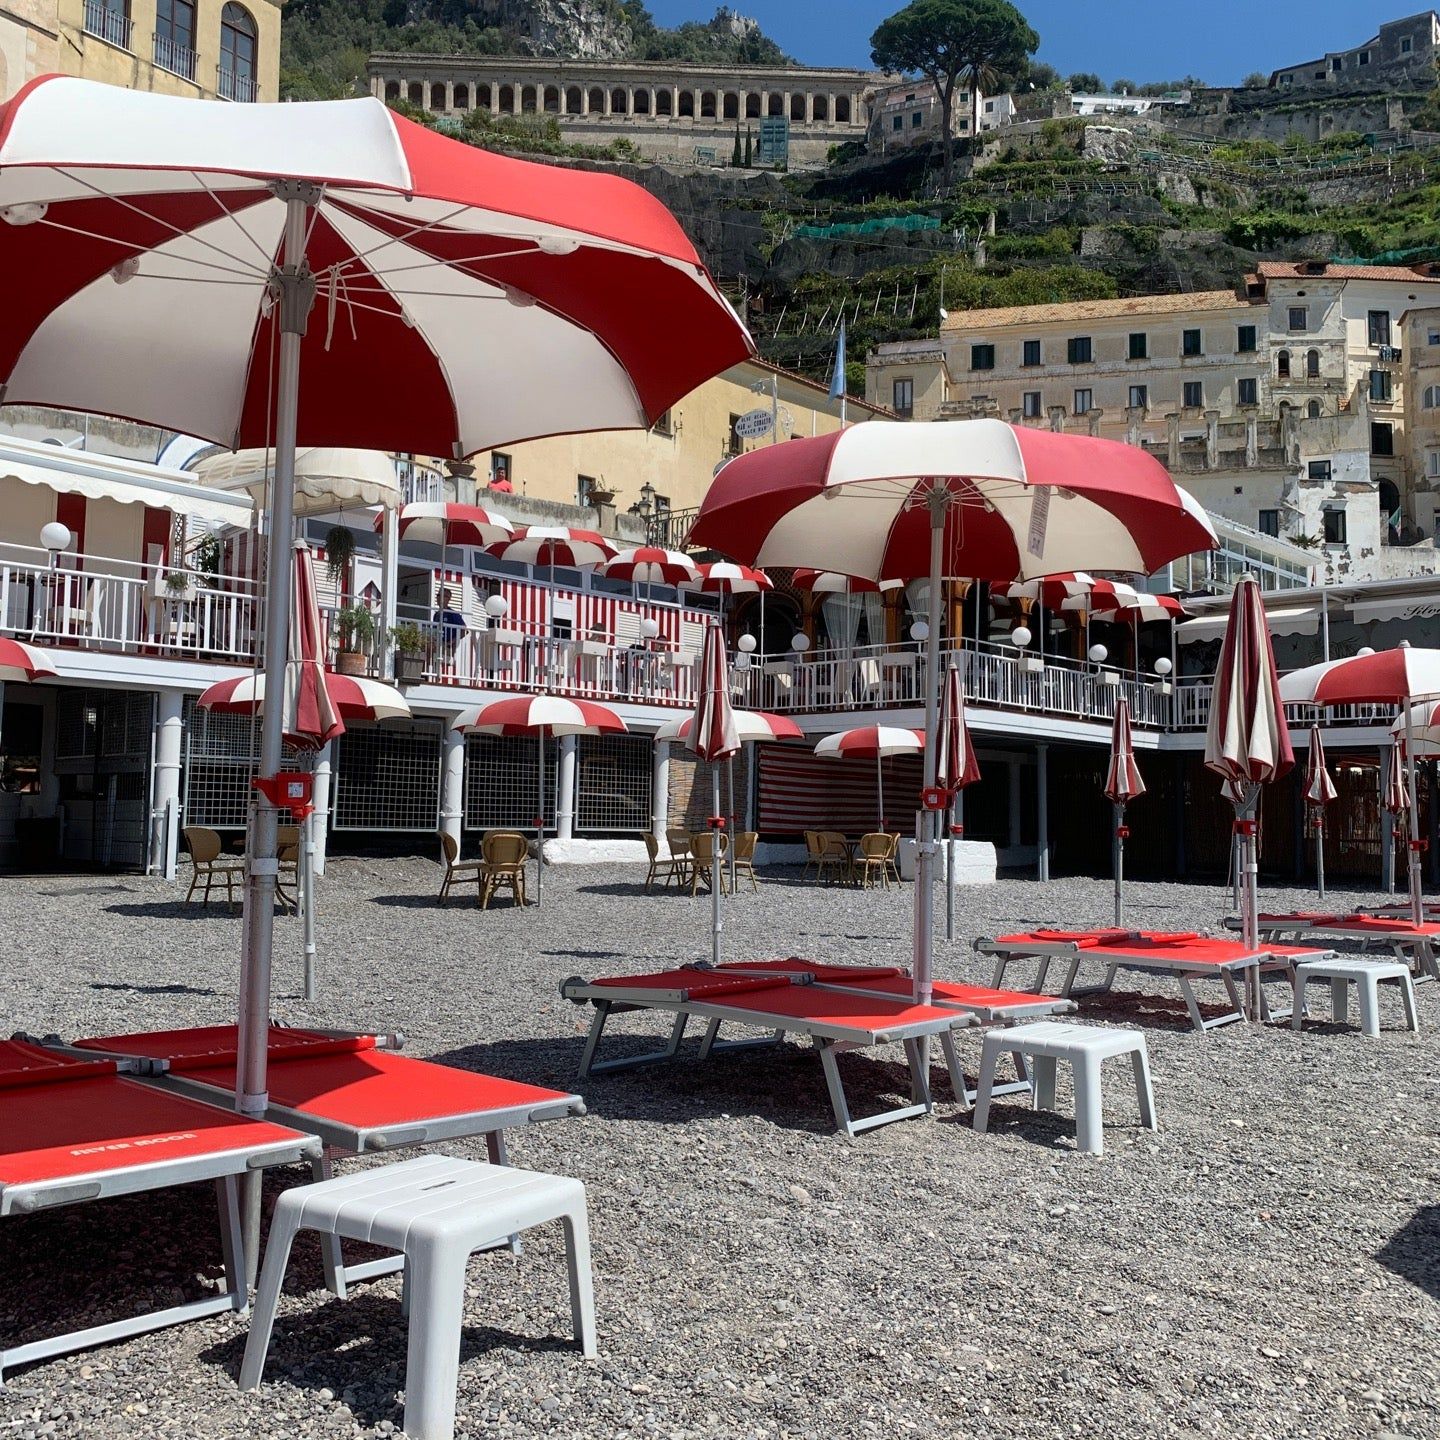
[[833, 1017]]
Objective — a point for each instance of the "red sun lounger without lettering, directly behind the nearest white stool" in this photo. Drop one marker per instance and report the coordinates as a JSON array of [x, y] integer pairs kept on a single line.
[[354, 1092]]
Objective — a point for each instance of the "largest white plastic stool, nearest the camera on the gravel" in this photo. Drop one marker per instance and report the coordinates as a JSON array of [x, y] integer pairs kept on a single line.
[[437, 1212]]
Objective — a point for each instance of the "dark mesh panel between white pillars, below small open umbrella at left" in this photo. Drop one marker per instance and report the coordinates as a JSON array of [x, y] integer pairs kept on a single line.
[[390, 780]]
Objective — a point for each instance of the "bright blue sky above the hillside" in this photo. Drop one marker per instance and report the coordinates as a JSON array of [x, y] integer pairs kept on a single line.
[[1220, 41]]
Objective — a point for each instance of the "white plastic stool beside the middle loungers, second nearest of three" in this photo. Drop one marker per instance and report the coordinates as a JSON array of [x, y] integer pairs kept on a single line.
[[1085, 1048]]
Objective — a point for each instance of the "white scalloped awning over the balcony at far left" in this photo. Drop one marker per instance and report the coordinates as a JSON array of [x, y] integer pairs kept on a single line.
[[126, 482]]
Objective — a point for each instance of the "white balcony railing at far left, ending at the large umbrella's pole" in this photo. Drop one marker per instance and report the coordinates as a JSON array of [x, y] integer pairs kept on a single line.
[[110, 606]]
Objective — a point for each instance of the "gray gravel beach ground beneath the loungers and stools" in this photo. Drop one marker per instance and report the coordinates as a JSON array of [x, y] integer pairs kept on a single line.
[[1266, 1265]]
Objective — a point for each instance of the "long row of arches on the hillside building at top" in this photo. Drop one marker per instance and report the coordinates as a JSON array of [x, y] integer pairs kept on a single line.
[[623, 100]]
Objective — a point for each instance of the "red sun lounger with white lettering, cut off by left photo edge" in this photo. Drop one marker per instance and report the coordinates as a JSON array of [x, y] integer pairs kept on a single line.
[[81, 1130]]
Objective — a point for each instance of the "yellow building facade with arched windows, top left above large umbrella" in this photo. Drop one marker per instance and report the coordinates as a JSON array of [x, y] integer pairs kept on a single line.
[[205, 50]]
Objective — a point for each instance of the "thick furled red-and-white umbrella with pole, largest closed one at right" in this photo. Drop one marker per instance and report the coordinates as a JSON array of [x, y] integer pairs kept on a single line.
[[1248, 742]]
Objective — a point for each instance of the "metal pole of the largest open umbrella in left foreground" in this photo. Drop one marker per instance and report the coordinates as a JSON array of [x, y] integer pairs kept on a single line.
[[297, 299]]
